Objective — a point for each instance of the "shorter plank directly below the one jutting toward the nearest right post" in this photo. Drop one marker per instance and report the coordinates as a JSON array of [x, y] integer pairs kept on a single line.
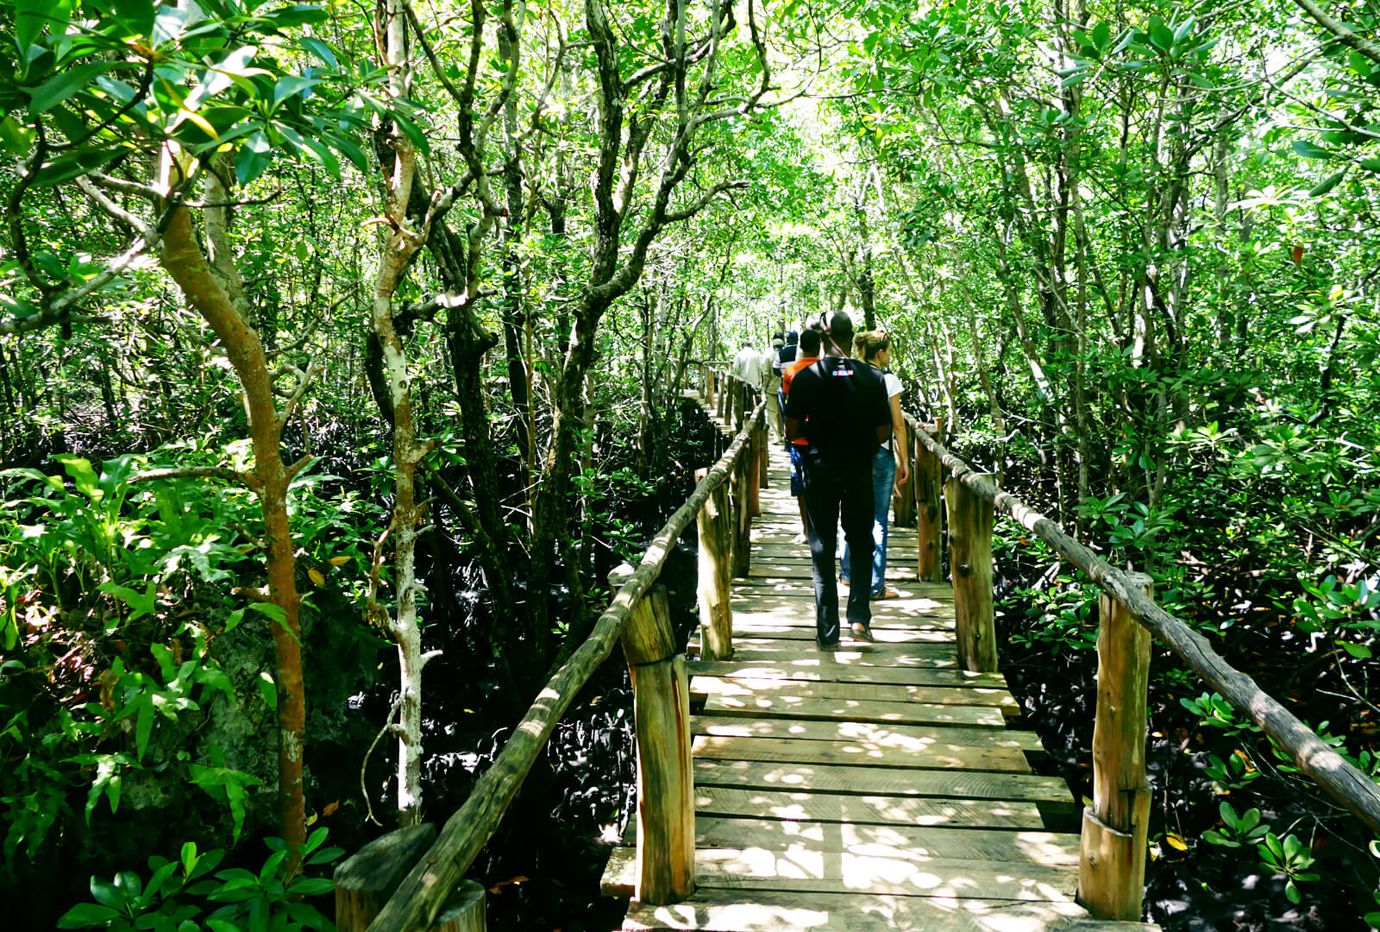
[[889, 811]]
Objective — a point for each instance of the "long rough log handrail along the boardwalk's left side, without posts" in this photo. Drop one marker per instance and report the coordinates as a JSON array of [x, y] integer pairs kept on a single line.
[[426, 890]]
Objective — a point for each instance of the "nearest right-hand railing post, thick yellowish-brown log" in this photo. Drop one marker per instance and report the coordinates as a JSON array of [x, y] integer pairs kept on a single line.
[[1112, 875]]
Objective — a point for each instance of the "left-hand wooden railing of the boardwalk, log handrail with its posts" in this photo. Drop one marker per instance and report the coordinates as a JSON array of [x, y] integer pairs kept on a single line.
[[406, 882]]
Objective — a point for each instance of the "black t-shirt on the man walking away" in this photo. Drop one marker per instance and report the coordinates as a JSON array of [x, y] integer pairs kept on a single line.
[[842, 402]]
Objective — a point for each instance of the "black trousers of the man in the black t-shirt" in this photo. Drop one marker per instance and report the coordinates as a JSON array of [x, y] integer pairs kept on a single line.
[[838, 494]]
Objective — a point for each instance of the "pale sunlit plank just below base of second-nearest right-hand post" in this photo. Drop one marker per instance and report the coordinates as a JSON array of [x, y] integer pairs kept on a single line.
[[787, 692]]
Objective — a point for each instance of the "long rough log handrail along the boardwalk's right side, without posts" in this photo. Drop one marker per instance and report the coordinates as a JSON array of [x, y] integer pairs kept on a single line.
[[1343, 782]]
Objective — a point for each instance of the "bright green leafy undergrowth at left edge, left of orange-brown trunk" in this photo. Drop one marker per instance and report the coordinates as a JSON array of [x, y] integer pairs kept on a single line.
[[126, 579]]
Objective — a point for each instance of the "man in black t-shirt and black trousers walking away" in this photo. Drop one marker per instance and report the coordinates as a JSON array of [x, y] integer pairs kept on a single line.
[[840, 405]]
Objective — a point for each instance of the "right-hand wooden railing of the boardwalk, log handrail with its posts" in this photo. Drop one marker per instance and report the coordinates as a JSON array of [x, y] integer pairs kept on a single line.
[[1113, 864]]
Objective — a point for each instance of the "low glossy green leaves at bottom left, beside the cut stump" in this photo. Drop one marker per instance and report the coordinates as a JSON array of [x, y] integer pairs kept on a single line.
[[187, 895]]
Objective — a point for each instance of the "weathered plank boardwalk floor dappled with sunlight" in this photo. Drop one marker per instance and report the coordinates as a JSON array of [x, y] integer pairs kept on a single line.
[[878, 788]]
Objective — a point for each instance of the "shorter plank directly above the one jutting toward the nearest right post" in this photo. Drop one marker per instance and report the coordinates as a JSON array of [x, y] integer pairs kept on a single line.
[[935, 757]]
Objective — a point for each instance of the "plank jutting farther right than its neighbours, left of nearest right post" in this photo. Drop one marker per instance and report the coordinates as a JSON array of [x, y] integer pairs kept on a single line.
[[859, 781]]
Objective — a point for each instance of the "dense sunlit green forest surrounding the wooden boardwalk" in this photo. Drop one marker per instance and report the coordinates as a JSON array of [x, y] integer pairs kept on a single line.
[[336, 338]]
